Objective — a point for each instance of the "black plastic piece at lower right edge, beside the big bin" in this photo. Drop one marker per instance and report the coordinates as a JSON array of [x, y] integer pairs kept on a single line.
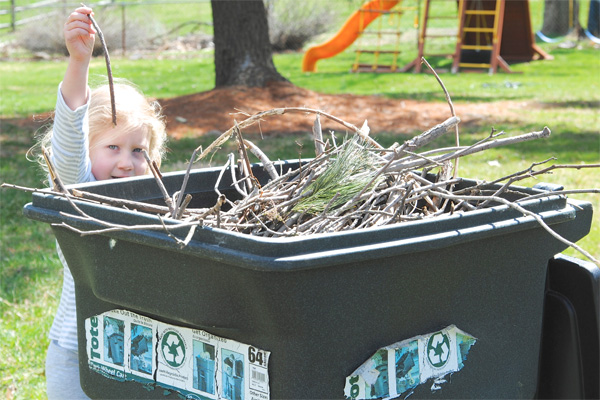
[[570, 353]]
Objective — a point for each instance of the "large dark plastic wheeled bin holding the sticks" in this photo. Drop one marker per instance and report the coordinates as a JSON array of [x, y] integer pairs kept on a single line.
[[323, 304]]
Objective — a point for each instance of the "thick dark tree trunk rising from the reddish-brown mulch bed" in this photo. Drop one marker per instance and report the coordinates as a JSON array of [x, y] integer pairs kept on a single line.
[[243, 54]]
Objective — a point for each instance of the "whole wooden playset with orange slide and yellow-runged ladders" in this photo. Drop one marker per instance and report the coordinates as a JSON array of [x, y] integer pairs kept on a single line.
[[482, 42]]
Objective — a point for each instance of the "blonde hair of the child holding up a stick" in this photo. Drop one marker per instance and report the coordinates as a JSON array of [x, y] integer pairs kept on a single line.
[[133, 111]]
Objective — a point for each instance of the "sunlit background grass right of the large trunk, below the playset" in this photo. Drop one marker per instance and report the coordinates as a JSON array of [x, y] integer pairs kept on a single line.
[[575, 77]]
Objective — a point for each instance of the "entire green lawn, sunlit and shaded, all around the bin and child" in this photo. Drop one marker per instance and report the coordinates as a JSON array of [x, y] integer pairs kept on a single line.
[[568, 87]]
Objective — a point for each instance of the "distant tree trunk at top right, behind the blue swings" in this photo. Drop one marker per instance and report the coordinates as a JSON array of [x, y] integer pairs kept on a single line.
[[560, 17]]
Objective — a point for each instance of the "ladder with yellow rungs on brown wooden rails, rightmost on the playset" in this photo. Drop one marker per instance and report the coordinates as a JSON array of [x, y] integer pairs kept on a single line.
[[476, 33]]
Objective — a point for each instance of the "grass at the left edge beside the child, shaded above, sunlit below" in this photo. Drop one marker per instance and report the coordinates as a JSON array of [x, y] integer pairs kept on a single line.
[[30, 277]]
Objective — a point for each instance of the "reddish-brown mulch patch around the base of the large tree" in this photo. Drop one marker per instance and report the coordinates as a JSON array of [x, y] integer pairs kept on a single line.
[[215, 110]]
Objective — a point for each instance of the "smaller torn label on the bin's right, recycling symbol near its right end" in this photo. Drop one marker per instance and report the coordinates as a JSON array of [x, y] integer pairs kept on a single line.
[[397, 369]]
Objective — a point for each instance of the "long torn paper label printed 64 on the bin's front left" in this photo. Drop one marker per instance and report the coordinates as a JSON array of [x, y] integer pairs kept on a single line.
[[126, 346]]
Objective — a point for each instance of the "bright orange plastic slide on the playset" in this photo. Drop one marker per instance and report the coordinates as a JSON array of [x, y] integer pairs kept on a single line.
[[347, 35]]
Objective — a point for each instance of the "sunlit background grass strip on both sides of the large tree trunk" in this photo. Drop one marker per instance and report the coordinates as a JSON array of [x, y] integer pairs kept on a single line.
[[574, 82]]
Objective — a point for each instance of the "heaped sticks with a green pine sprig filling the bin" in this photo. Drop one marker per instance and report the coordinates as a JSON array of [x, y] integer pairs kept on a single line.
[[356, 184]]
